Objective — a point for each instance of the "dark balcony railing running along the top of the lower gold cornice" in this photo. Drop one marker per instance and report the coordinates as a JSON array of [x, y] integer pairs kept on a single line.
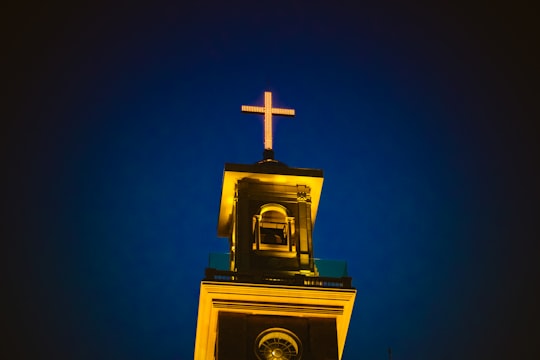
[[278, 279]]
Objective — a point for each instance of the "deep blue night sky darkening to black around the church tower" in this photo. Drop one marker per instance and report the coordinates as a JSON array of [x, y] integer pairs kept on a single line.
[[118, 119]]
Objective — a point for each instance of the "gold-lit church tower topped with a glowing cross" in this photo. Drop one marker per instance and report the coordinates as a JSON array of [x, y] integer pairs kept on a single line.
[[269, 298]]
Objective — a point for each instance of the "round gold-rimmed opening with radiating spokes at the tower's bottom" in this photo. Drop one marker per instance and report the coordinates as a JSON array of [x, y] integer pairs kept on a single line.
[[278, 344]]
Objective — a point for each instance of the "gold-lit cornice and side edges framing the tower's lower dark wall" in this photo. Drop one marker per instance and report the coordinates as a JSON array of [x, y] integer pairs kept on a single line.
[[297, 301]]
